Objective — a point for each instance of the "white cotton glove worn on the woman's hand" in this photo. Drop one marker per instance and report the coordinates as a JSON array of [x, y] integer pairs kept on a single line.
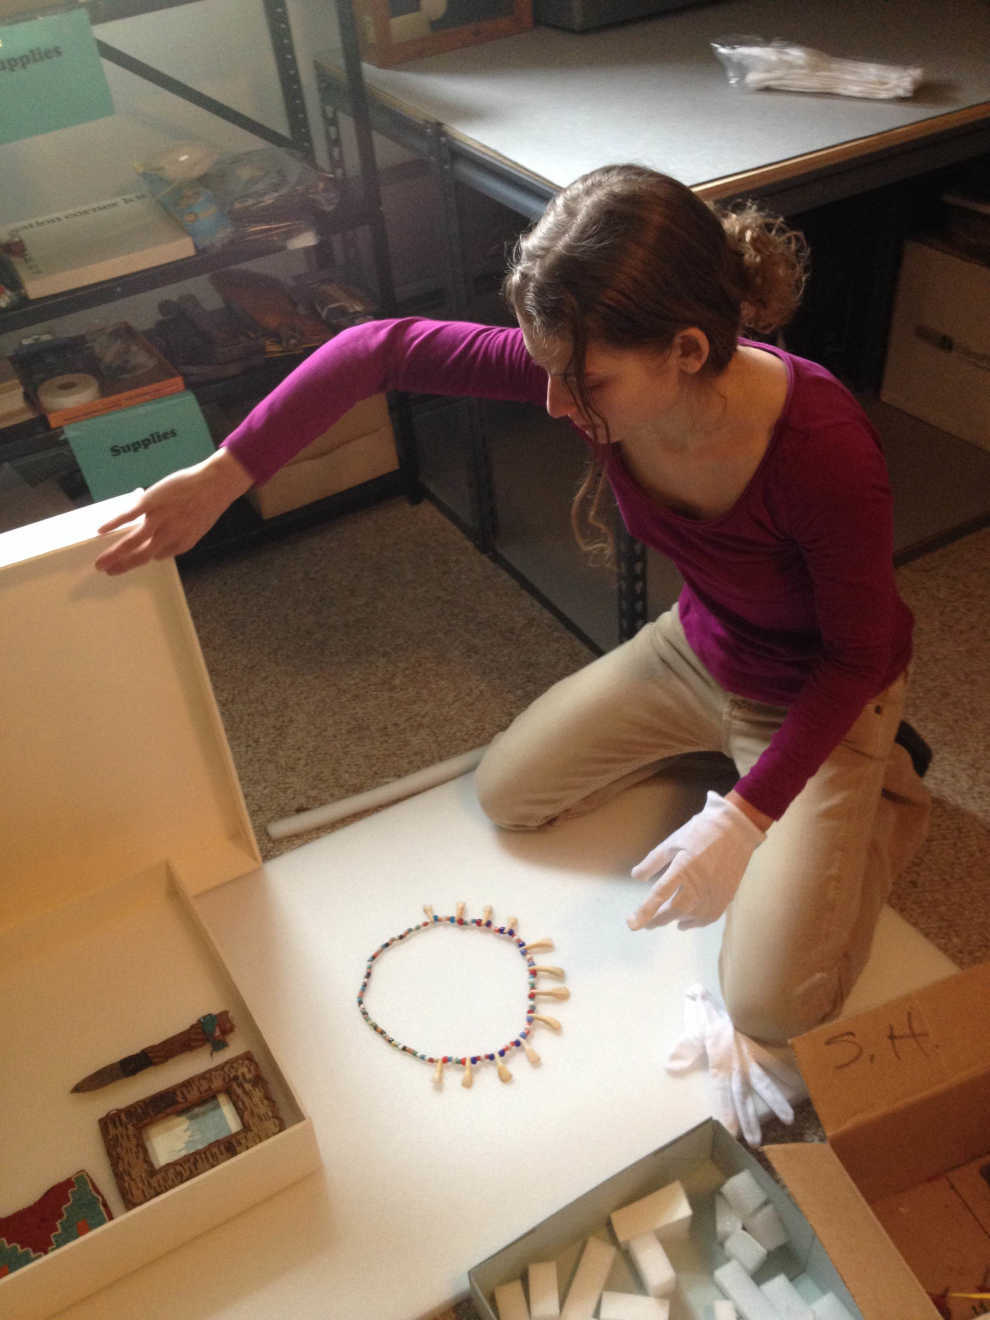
[[698, 869]]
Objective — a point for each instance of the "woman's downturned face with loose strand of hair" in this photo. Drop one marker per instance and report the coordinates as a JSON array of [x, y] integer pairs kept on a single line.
[[630, 391]]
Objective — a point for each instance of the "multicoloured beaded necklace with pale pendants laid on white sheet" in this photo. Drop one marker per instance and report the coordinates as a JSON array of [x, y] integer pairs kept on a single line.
[[521, 1041]]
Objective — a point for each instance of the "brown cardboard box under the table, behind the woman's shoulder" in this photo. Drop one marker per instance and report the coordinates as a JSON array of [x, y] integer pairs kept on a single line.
[[939, 352]]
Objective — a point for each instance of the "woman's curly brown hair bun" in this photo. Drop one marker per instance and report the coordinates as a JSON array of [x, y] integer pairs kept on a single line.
[[774, 262]]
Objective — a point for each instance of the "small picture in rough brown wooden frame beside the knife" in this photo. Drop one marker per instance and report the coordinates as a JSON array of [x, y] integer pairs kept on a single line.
[[170, 1137]]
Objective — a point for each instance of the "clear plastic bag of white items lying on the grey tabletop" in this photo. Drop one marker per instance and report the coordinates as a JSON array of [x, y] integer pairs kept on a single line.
[[753, 63]]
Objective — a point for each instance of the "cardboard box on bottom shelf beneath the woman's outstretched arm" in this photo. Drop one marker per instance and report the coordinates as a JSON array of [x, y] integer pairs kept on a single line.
[[357, 449]]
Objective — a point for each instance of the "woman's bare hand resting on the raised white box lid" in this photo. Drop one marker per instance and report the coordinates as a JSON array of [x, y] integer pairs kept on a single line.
[[172, 515]]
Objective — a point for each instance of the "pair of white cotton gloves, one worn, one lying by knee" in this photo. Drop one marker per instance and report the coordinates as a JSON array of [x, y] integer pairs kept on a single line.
[[696, 872]]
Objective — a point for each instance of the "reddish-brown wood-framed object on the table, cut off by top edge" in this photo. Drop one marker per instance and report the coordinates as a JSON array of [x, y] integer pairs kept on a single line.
[[395, 31]]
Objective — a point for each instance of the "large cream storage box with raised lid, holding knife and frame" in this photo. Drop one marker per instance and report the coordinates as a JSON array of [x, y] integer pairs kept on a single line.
[[121, 805]]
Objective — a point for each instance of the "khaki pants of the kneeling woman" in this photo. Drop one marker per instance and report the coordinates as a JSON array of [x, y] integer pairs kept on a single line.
[[799, 930]]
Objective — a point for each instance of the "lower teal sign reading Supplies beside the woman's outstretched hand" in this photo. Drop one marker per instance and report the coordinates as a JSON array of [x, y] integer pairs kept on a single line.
[[137, 447]]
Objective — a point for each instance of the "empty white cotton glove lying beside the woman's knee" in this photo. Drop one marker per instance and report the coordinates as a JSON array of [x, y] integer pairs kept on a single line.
[[742, 1071]]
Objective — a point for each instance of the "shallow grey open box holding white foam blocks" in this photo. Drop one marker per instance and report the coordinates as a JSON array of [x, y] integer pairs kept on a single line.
[[702, 1160]]
